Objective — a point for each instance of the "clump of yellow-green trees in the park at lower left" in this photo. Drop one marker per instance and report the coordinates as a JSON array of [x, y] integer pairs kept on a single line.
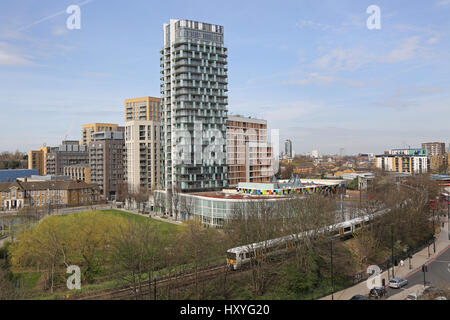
[[105, 244]]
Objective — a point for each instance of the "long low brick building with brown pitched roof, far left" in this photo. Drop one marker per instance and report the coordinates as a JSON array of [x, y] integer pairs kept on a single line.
[[17, 195]]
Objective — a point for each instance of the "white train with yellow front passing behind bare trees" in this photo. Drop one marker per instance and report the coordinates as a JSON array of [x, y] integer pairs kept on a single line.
[[241, 256]]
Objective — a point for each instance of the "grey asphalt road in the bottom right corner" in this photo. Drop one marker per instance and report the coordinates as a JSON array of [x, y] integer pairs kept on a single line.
[[438, 274]]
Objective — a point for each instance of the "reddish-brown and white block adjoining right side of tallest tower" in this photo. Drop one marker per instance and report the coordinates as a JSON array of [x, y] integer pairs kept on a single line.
[[249, 157]]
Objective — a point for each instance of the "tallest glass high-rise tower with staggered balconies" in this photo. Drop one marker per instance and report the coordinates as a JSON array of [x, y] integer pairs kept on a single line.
[[194, 105]]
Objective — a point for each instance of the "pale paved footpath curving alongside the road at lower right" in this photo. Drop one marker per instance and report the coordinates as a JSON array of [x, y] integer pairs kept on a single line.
[[420, 258]]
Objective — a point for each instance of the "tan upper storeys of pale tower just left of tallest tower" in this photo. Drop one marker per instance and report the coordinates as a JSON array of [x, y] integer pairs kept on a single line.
[[146, 108]]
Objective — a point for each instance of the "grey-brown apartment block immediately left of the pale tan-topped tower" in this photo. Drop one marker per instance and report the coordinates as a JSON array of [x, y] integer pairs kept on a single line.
[[106, 161]]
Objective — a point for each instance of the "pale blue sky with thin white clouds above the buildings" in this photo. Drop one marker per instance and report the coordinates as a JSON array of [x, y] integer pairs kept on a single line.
[[311, 68]]
